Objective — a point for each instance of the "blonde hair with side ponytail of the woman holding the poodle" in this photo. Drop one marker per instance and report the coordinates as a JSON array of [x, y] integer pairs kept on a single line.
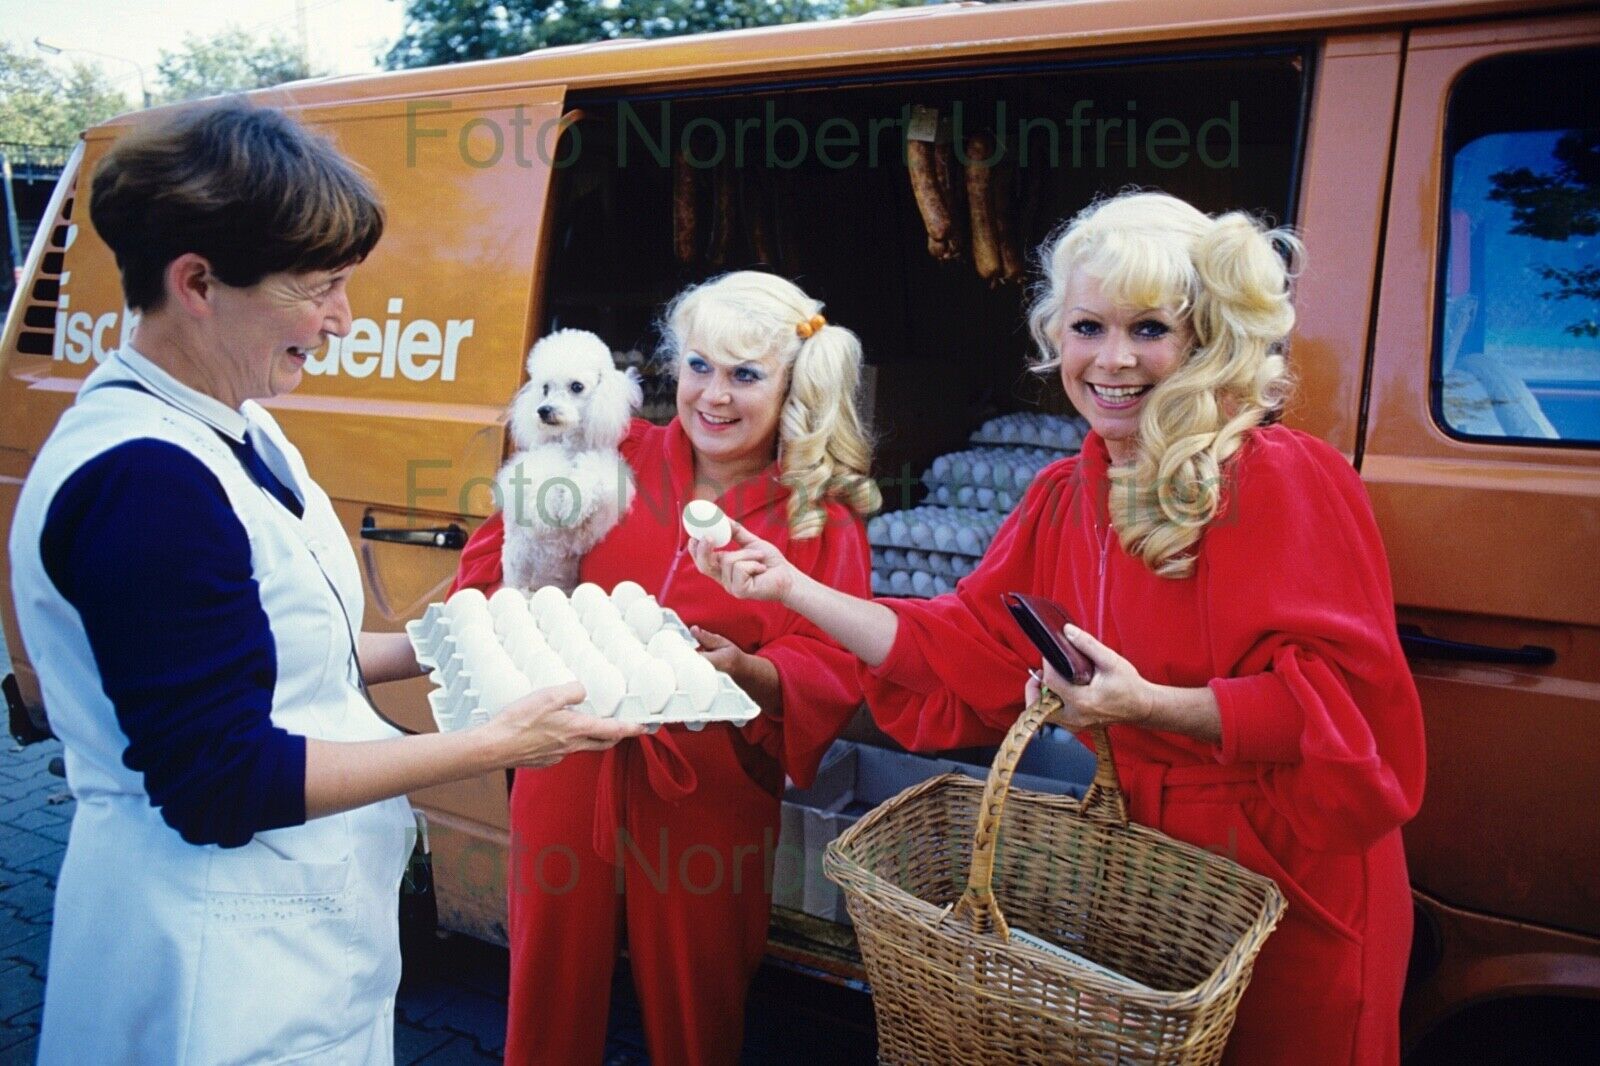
[[823, 447]]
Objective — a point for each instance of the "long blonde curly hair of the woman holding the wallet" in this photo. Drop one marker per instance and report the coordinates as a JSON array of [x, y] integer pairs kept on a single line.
[[1228, 279]]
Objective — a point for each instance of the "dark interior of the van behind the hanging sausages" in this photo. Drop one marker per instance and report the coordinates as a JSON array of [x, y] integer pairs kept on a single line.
[[948, 348]]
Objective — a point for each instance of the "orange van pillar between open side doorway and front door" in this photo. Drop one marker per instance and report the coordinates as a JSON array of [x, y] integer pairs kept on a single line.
[[1342, 222]]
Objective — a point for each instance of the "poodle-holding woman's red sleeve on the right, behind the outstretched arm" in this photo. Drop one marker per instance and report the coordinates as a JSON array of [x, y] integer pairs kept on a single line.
[[817, 676]]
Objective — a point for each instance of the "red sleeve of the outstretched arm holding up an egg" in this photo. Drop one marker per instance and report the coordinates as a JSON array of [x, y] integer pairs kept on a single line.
[[959, 665]]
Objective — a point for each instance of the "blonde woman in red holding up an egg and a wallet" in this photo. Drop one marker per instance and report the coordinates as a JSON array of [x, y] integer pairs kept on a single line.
[[1233, 593]]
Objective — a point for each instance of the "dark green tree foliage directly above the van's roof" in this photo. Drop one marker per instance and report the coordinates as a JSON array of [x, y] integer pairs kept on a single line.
[[455, 31]]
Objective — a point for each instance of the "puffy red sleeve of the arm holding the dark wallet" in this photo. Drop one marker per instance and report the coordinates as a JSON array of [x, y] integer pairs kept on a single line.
[[1302, 609]]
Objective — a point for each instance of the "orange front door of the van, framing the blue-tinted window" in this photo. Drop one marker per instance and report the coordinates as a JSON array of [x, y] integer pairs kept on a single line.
[[1490, 545]]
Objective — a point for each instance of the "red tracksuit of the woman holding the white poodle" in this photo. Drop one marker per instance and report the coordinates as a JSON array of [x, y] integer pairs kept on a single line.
[[670, 838]]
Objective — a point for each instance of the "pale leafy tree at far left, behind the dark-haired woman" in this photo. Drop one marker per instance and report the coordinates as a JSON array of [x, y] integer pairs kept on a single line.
[[39, 105]]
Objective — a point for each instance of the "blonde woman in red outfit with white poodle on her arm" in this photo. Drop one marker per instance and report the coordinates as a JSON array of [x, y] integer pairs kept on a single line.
[[670, 841]]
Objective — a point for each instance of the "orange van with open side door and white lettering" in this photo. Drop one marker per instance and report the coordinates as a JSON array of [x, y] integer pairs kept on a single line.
[[1441, 159]]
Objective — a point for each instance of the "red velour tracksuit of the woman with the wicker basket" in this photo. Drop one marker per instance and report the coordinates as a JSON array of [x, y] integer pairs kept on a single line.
[[1289, 617]]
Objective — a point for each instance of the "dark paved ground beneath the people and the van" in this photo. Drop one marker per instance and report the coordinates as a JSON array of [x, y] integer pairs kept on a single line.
[[452, 1009]]
